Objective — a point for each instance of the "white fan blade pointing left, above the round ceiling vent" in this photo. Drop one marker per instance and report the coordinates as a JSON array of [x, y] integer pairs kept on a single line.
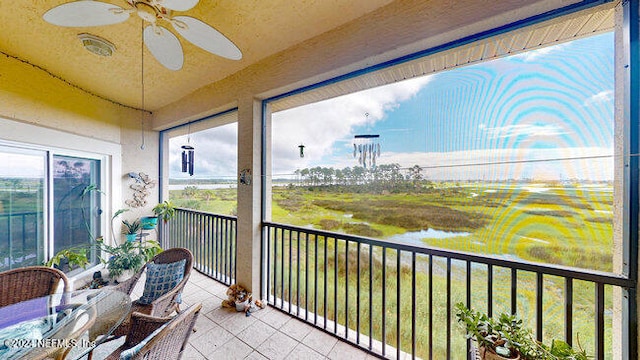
[[85, 13]]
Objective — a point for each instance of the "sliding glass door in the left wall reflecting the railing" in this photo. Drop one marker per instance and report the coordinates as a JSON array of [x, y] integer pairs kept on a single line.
[[73, 209]]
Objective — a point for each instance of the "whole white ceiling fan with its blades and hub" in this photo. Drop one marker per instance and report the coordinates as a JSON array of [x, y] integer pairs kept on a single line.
[[161, 42]]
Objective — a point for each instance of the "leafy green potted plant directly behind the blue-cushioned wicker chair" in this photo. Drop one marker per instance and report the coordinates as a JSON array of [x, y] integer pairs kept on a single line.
[[128, 257]]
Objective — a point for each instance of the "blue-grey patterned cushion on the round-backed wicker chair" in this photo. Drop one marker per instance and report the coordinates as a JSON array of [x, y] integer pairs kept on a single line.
[[161, 278]]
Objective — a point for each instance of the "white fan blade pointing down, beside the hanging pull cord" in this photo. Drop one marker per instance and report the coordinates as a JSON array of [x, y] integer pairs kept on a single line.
[[164, 46]]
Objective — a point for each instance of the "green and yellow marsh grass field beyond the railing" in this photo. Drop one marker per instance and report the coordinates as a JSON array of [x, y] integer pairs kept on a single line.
[[567, 225]]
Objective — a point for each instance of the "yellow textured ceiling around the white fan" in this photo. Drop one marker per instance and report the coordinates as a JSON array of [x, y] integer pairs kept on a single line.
[[260, 28]]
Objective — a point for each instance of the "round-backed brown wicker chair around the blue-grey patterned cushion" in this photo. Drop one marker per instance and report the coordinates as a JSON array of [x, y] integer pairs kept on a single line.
[[166, 304]]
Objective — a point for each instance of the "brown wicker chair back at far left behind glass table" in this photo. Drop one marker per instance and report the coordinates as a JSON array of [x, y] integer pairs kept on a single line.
[[30, 282]]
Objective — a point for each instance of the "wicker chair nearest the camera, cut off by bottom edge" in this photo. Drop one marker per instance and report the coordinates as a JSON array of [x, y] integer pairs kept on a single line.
[[167, 343]]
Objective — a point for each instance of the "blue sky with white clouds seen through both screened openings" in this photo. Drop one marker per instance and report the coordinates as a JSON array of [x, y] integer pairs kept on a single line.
[[502, 119]]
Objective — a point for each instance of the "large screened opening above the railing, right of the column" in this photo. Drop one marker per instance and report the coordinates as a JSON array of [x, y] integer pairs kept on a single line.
[[512, 157]]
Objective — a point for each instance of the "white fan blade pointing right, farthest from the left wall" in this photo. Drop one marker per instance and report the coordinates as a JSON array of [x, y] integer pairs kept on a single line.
[[206, 37]]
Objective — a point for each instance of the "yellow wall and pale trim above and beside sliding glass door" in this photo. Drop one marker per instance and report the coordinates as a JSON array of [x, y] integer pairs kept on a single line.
[[42, 111]]
